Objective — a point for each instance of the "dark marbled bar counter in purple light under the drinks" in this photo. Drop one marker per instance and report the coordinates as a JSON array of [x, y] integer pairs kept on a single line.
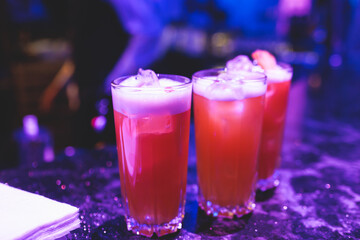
[[318, 197]]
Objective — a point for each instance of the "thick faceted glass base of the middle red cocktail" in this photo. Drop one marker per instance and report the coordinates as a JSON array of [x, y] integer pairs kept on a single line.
[[226, 212]]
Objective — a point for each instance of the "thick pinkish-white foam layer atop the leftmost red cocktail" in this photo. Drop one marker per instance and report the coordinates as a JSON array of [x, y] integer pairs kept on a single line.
[[166, 97]]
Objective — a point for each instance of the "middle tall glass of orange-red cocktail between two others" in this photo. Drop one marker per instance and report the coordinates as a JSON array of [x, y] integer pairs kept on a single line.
[[228, 111]]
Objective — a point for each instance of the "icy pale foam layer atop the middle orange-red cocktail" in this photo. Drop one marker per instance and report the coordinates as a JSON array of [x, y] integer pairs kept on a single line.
[[243, 84]]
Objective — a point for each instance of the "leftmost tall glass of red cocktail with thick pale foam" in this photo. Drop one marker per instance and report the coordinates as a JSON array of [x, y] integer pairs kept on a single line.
[[152, 126]]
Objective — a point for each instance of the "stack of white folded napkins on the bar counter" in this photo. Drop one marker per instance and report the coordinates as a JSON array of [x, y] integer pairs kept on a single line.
[[25, 215]]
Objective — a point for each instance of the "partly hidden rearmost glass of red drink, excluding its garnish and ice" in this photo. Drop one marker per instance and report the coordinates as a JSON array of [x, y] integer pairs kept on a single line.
[[276, 98]]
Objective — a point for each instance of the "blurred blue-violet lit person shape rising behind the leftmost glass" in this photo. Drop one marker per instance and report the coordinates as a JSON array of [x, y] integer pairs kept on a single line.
[[146, 22]]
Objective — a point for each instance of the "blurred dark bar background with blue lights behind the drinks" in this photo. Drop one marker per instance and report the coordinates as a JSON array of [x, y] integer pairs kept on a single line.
[[58, 57]]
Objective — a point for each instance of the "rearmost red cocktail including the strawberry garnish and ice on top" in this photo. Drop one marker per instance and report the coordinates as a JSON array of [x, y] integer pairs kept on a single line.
[[278, 84]]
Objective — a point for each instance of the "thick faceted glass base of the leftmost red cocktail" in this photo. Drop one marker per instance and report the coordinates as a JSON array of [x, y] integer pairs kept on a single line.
[[149, 230]]
